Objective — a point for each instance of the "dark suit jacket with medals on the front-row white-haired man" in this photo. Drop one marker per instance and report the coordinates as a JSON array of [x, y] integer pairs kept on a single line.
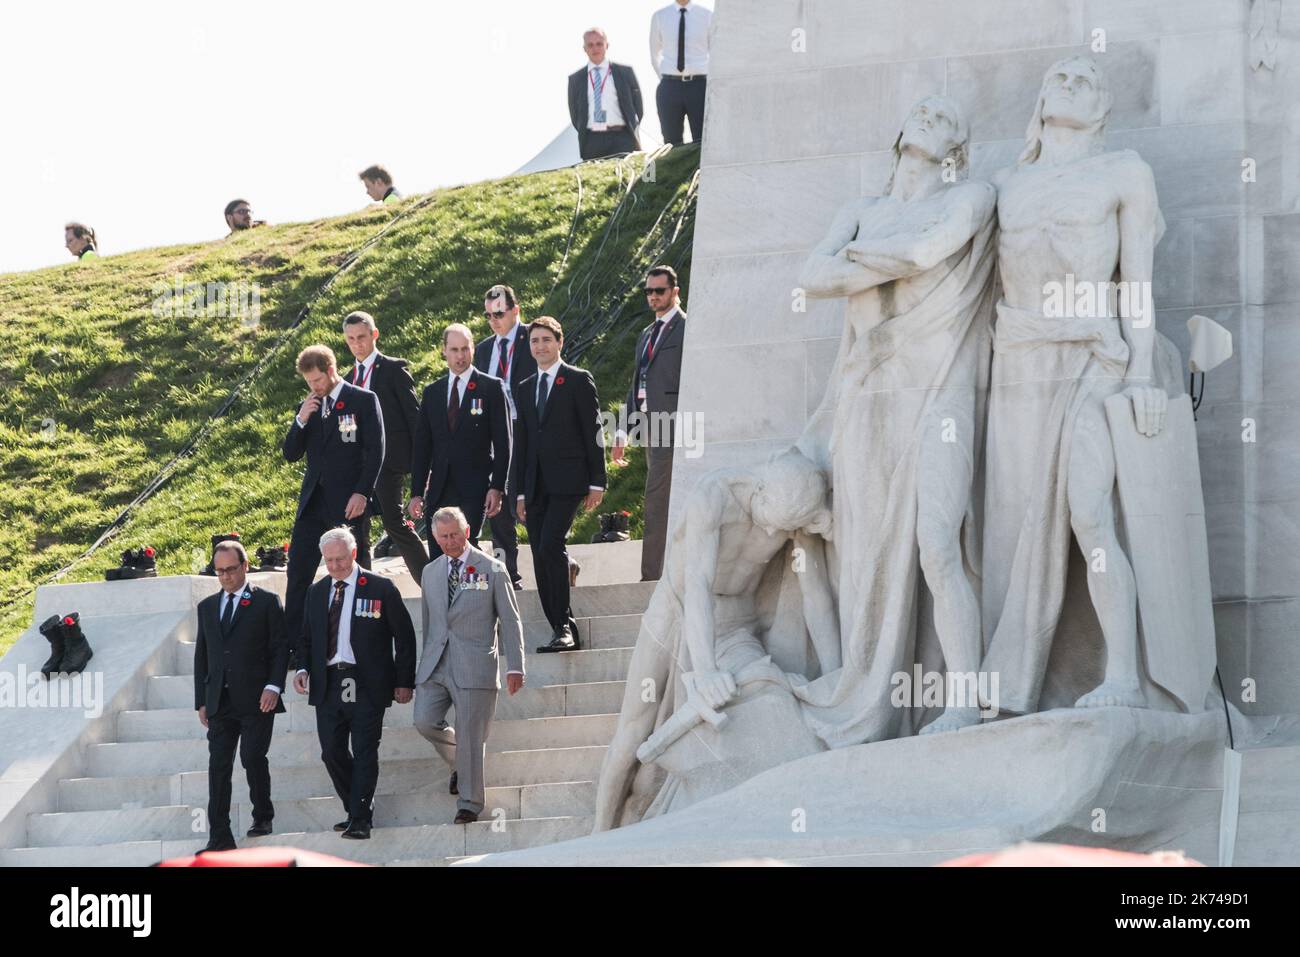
[[384, 647]]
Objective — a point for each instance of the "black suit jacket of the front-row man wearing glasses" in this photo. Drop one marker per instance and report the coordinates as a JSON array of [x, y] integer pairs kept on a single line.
[[249, 657]]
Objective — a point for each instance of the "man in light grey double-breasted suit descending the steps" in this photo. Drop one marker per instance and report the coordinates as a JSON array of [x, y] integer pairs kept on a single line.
[[466, 594]]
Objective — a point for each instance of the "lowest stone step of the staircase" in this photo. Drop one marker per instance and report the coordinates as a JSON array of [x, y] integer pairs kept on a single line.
[[387, 845]]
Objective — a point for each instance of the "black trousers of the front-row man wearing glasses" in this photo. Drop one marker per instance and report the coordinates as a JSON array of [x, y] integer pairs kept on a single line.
[[252, 733]]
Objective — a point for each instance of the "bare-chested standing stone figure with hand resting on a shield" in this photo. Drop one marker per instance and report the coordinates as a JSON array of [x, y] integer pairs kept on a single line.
[[1069, 213]]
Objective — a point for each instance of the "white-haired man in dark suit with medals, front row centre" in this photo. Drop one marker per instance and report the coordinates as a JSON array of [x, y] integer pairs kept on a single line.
[[357, 657]]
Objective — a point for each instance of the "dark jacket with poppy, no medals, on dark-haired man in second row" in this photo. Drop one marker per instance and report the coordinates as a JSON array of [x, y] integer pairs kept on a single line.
[[565, 443]]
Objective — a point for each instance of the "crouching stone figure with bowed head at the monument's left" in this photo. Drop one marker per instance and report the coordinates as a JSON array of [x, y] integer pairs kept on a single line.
[[701, 640]]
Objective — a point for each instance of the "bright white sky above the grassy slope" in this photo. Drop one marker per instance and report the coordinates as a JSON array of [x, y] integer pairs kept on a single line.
[[144, 119]]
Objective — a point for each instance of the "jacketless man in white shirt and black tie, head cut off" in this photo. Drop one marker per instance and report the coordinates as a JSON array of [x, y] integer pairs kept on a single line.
[[679, 50]]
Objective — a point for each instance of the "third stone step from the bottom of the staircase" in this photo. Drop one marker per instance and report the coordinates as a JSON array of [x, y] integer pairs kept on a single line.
[[397, 777]]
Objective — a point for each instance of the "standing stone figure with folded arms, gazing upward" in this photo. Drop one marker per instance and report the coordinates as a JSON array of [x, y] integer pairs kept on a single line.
[[899, 427]]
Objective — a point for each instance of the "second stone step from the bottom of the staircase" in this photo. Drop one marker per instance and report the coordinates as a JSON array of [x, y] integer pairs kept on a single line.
[[431, 806]]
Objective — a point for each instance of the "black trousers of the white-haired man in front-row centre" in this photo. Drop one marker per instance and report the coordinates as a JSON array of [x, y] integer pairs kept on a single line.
[[350, 717]]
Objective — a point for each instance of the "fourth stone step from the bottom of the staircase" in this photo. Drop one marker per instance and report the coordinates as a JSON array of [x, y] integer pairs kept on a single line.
[[137, 759]]
